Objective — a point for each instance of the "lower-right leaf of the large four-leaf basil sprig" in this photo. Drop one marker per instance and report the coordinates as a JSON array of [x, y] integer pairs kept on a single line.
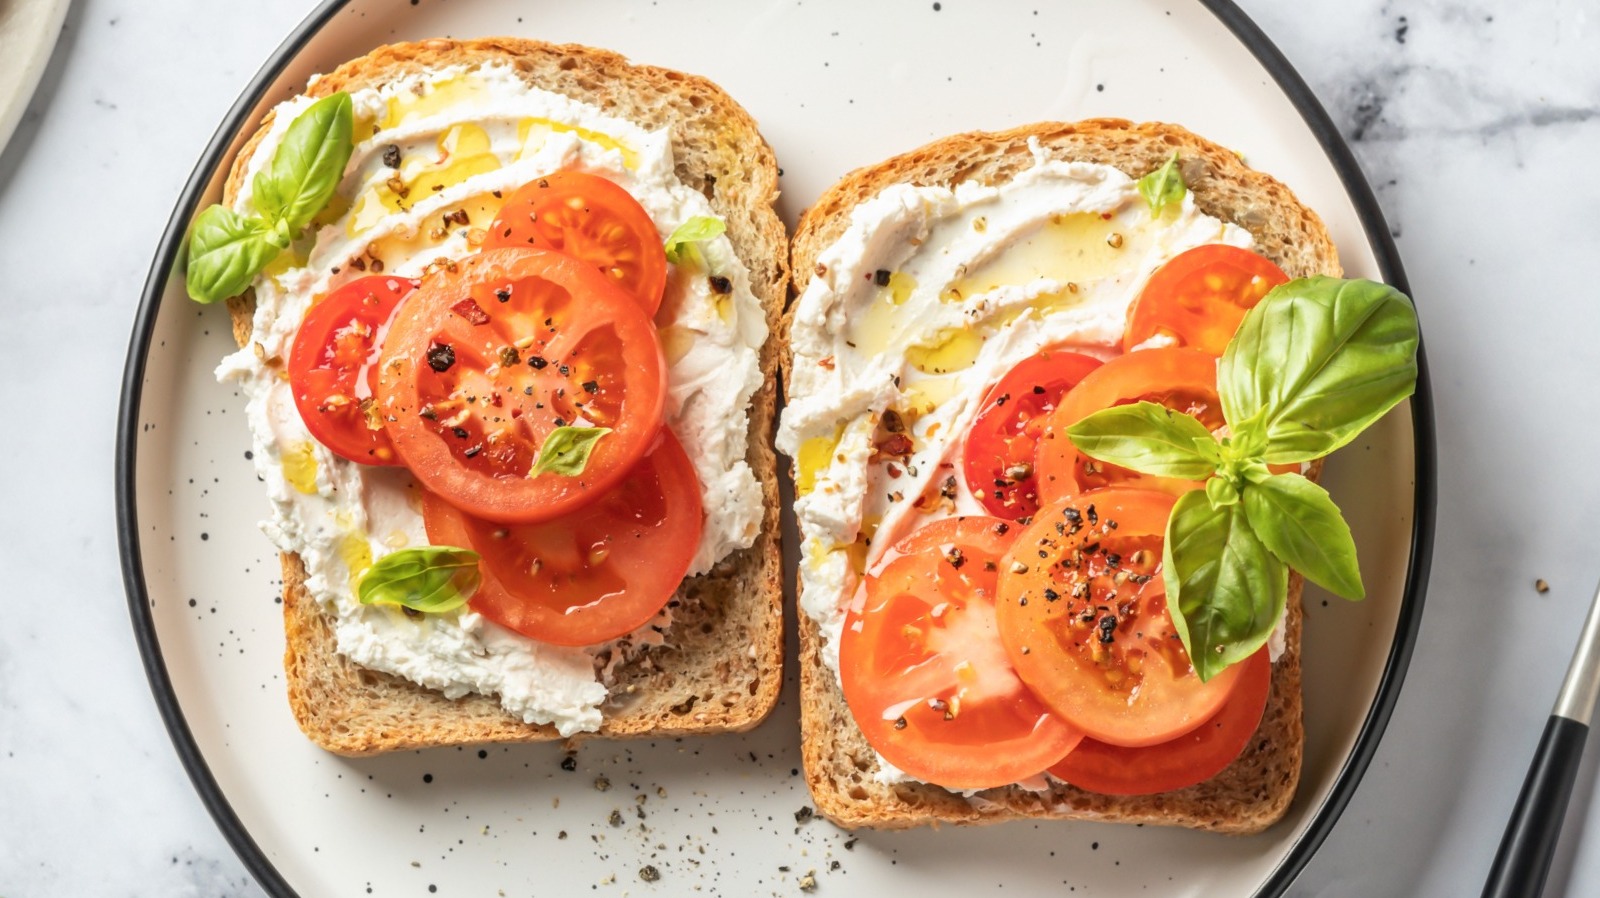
[[1300, 524]]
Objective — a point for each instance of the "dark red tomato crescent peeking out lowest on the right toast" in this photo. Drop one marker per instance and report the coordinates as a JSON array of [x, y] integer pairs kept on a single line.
[[1177, 764]]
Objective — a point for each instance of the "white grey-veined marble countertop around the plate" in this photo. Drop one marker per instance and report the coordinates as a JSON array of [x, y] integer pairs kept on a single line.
[[1476, 126]]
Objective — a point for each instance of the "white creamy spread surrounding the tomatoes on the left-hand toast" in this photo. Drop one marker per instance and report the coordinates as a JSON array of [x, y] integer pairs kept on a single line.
[[462, 142]]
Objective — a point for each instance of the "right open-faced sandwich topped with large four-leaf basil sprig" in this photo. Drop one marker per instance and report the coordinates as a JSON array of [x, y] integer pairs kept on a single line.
[[1057, 401]]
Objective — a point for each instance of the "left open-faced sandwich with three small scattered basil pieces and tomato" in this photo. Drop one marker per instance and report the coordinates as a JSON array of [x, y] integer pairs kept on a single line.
[[505, 313]]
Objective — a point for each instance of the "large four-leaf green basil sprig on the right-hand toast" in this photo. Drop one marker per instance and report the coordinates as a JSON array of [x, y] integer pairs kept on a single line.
[[1313, 366]]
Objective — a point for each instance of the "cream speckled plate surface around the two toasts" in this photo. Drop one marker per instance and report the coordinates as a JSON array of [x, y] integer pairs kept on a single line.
[[834, 84]]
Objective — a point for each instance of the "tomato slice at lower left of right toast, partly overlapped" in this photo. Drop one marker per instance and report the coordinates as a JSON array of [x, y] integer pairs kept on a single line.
[[924, 670]]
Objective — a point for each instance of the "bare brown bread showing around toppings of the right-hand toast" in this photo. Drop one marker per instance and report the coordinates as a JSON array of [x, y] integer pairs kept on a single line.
[[1257, 788]]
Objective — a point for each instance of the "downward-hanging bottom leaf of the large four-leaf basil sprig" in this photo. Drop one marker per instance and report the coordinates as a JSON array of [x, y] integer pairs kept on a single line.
[[1225, 590]]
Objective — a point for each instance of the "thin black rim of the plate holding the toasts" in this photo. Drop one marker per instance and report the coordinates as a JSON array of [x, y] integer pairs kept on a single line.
[[167, 255]]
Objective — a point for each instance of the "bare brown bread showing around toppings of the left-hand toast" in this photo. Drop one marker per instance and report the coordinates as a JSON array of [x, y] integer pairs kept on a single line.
[[722, 665]]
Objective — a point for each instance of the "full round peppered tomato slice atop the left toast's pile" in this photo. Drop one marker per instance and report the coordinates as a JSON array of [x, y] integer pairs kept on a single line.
[[486, 361]]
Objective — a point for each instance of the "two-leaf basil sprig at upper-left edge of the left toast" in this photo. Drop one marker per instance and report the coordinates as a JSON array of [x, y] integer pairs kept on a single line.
[[228, 251]]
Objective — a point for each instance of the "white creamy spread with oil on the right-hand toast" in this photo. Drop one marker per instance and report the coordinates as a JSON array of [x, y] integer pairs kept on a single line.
[[930, 297]]
